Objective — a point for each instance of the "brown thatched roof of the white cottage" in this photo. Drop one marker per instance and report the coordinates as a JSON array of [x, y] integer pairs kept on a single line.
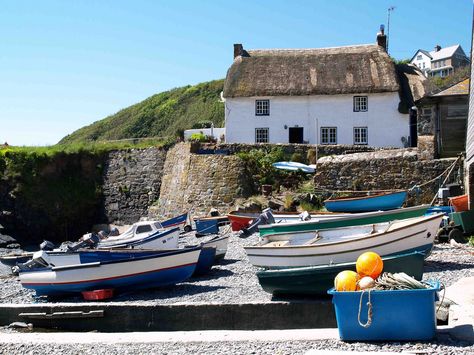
[[324, 71]]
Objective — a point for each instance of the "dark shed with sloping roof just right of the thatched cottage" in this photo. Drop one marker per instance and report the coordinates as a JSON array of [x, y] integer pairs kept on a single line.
[[443, 116]]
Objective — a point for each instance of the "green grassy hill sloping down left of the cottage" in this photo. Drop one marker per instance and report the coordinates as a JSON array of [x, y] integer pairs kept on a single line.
[[161, 115]]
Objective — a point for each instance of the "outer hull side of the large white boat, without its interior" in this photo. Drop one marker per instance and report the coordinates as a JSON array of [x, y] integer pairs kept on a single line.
[[407, 236]]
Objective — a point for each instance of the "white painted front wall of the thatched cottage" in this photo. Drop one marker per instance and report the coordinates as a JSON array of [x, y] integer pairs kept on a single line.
[[385, 124]]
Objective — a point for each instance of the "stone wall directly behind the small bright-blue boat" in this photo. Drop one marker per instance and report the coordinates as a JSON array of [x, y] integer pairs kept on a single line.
[[382, 170]]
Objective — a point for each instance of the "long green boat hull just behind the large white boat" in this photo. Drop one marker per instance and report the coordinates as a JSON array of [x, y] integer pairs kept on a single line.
[[356, 219]]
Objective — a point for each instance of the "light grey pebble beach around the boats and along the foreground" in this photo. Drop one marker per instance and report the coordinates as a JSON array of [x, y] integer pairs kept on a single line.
[[234, 281]]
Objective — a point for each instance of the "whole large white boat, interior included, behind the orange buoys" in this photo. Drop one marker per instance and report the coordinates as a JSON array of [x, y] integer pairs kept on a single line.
[[339, 245]]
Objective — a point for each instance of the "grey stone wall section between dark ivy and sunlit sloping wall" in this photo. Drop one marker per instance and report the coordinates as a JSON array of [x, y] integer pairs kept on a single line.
[[132, 181]]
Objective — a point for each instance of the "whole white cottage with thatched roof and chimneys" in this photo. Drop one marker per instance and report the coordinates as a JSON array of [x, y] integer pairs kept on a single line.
[[340, 95]]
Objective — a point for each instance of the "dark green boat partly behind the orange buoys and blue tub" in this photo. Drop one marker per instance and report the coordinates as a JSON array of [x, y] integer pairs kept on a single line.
[[316, 280]]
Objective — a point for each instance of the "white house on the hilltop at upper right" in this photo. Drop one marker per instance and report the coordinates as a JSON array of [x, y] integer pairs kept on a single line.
[[441, 61]]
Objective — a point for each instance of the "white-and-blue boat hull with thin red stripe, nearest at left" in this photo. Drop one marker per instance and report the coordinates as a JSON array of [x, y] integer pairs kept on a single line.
[[141, 272]]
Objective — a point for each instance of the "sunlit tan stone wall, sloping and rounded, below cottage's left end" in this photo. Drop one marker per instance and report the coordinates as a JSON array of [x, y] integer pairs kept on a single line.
[[197, 183]]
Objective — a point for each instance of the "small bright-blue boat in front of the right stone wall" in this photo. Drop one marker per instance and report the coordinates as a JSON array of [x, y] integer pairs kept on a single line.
[[383, 201]]
